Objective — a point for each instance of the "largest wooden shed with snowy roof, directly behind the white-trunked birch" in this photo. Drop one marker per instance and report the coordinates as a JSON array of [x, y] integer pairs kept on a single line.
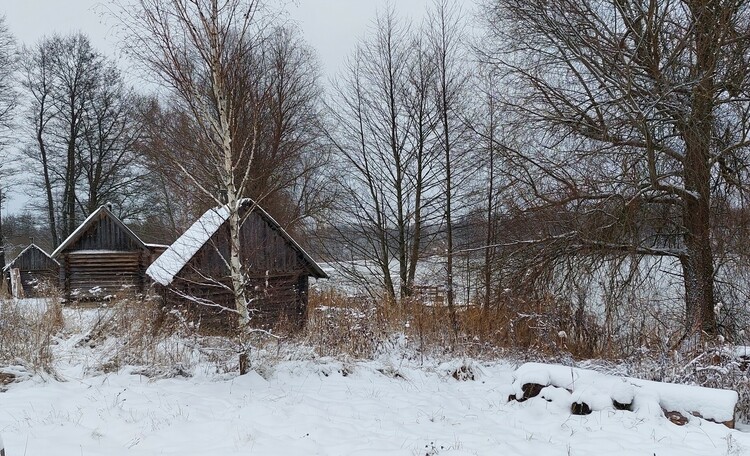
[[193, 272]]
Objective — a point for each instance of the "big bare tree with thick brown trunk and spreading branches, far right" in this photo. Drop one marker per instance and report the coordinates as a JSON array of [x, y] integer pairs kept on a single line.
[[637, 110]]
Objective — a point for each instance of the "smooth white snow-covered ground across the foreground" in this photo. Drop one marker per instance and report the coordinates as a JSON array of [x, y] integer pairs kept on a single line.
[[305, 405]]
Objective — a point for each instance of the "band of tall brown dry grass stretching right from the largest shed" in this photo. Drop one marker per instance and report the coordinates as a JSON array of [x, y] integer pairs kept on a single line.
[[545, 326]]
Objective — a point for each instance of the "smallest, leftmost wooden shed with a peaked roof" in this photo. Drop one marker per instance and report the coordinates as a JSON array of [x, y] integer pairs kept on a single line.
[[38, 271]]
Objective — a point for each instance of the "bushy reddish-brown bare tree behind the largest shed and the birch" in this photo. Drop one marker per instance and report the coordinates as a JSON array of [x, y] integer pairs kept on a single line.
[[286, 173]]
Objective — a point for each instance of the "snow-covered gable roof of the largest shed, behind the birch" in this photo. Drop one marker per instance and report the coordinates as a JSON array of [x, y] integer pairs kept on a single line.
[[173, 260]]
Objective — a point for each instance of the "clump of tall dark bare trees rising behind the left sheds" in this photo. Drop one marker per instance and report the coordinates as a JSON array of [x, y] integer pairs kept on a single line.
[[81, 118]]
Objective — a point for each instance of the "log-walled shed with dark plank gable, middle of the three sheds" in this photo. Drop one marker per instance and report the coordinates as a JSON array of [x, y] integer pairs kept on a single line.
[[103, 258]]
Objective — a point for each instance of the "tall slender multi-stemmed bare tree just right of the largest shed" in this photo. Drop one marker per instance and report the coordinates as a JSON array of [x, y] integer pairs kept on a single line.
[[383, 118]]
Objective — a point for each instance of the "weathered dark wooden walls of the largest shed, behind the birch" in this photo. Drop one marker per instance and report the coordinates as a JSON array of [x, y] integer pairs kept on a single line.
[[278, 277]]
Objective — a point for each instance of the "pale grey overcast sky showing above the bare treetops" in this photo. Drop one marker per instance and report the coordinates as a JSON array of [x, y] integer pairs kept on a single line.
[[331, 27]]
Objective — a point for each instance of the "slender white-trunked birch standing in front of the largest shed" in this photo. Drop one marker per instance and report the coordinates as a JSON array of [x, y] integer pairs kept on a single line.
[[199, 49]]
